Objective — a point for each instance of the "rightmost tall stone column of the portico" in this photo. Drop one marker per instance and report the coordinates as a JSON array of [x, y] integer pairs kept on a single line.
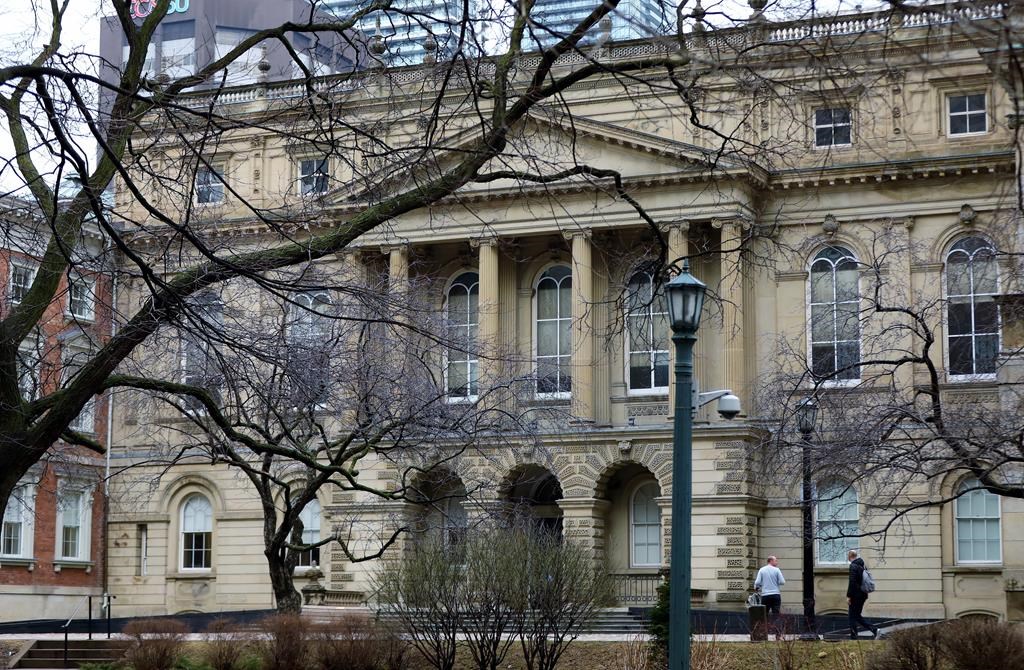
[[732, 291]]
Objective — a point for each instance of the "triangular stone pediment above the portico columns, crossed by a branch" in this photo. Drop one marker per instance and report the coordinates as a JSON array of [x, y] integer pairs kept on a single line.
[[542, 147]]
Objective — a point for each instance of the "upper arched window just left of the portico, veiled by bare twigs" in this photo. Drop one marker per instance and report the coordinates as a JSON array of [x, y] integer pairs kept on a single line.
[[309, 349]]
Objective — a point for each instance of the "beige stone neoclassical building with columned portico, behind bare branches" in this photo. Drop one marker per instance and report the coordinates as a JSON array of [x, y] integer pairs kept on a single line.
[[910, 153]]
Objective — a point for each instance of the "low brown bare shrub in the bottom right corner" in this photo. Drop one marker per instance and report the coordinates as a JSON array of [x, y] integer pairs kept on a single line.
[[984, 644]]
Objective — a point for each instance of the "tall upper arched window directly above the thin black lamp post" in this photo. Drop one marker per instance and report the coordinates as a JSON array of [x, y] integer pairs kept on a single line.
[[835, 324]]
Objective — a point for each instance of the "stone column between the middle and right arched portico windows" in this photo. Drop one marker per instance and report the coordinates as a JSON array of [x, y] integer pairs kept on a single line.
[[583, 327]]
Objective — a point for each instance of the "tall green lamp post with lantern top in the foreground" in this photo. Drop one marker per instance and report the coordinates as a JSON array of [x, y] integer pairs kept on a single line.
[[686, 295]]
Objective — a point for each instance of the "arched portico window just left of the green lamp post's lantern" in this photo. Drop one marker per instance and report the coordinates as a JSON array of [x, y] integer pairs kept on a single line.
[[648, 332]]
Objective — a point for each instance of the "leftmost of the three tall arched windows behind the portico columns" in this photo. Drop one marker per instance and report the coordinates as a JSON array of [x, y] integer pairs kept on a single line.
[[463, 325]]
